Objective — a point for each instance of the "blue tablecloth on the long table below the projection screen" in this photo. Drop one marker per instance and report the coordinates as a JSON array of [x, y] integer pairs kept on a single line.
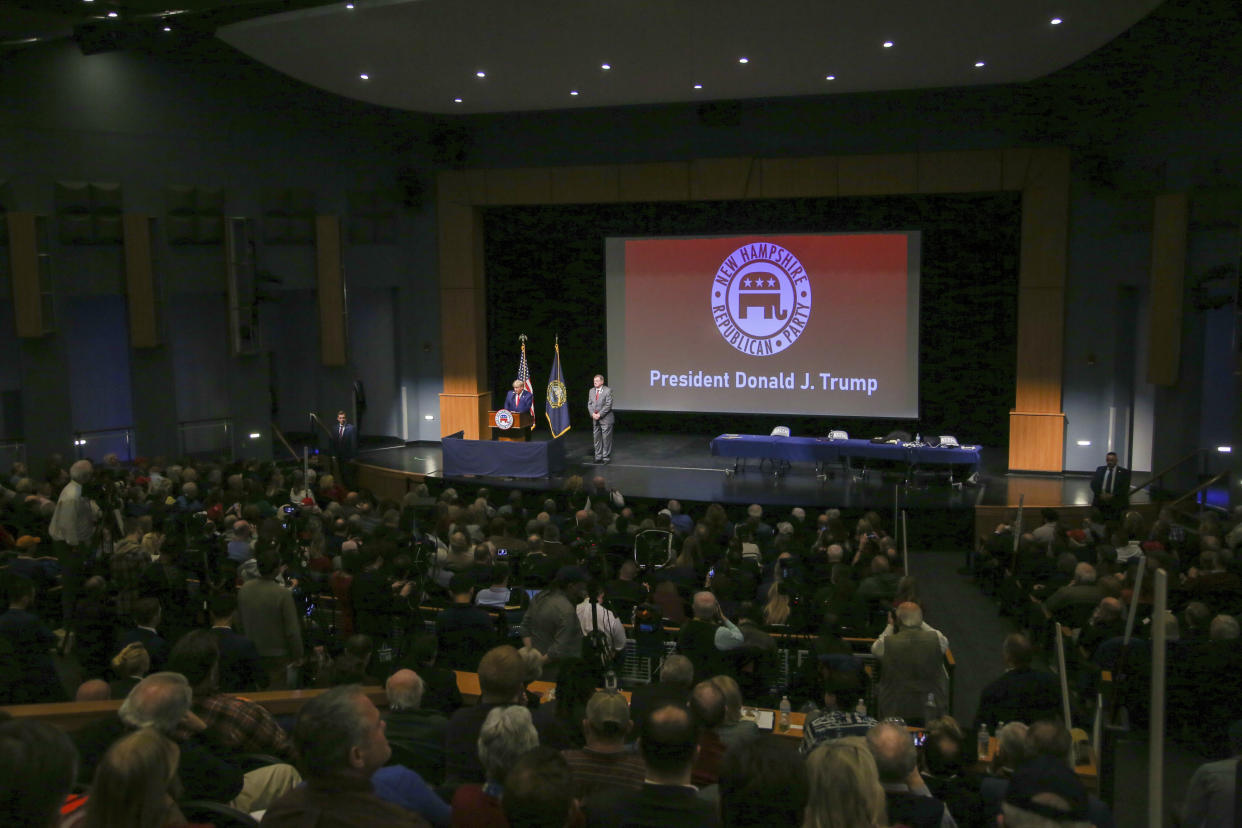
[[820, 450]]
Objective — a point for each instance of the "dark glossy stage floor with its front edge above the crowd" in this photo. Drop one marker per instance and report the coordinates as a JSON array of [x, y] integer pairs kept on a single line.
[[681, 466]]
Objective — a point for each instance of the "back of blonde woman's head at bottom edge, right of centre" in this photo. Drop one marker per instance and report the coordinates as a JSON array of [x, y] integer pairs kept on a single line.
[[845, 788]]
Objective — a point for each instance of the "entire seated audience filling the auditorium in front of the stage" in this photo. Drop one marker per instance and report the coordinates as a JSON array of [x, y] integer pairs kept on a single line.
[[307, 570]]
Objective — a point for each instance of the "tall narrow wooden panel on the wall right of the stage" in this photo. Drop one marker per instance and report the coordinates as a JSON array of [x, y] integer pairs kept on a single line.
[[1169, 234]]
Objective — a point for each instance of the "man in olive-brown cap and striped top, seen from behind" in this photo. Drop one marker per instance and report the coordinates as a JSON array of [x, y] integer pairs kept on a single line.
[[605, 764]]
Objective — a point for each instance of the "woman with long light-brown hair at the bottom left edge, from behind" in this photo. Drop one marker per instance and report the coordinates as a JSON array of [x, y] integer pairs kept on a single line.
[[136, 784]]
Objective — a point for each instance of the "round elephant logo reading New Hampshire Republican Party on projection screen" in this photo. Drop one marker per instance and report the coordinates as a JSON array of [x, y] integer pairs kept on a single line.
[[761, 300]]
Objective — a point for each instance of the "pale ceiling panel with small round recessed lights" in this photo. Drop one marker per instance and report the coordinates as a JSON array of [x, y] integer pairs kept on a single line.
[[536, 55]]
